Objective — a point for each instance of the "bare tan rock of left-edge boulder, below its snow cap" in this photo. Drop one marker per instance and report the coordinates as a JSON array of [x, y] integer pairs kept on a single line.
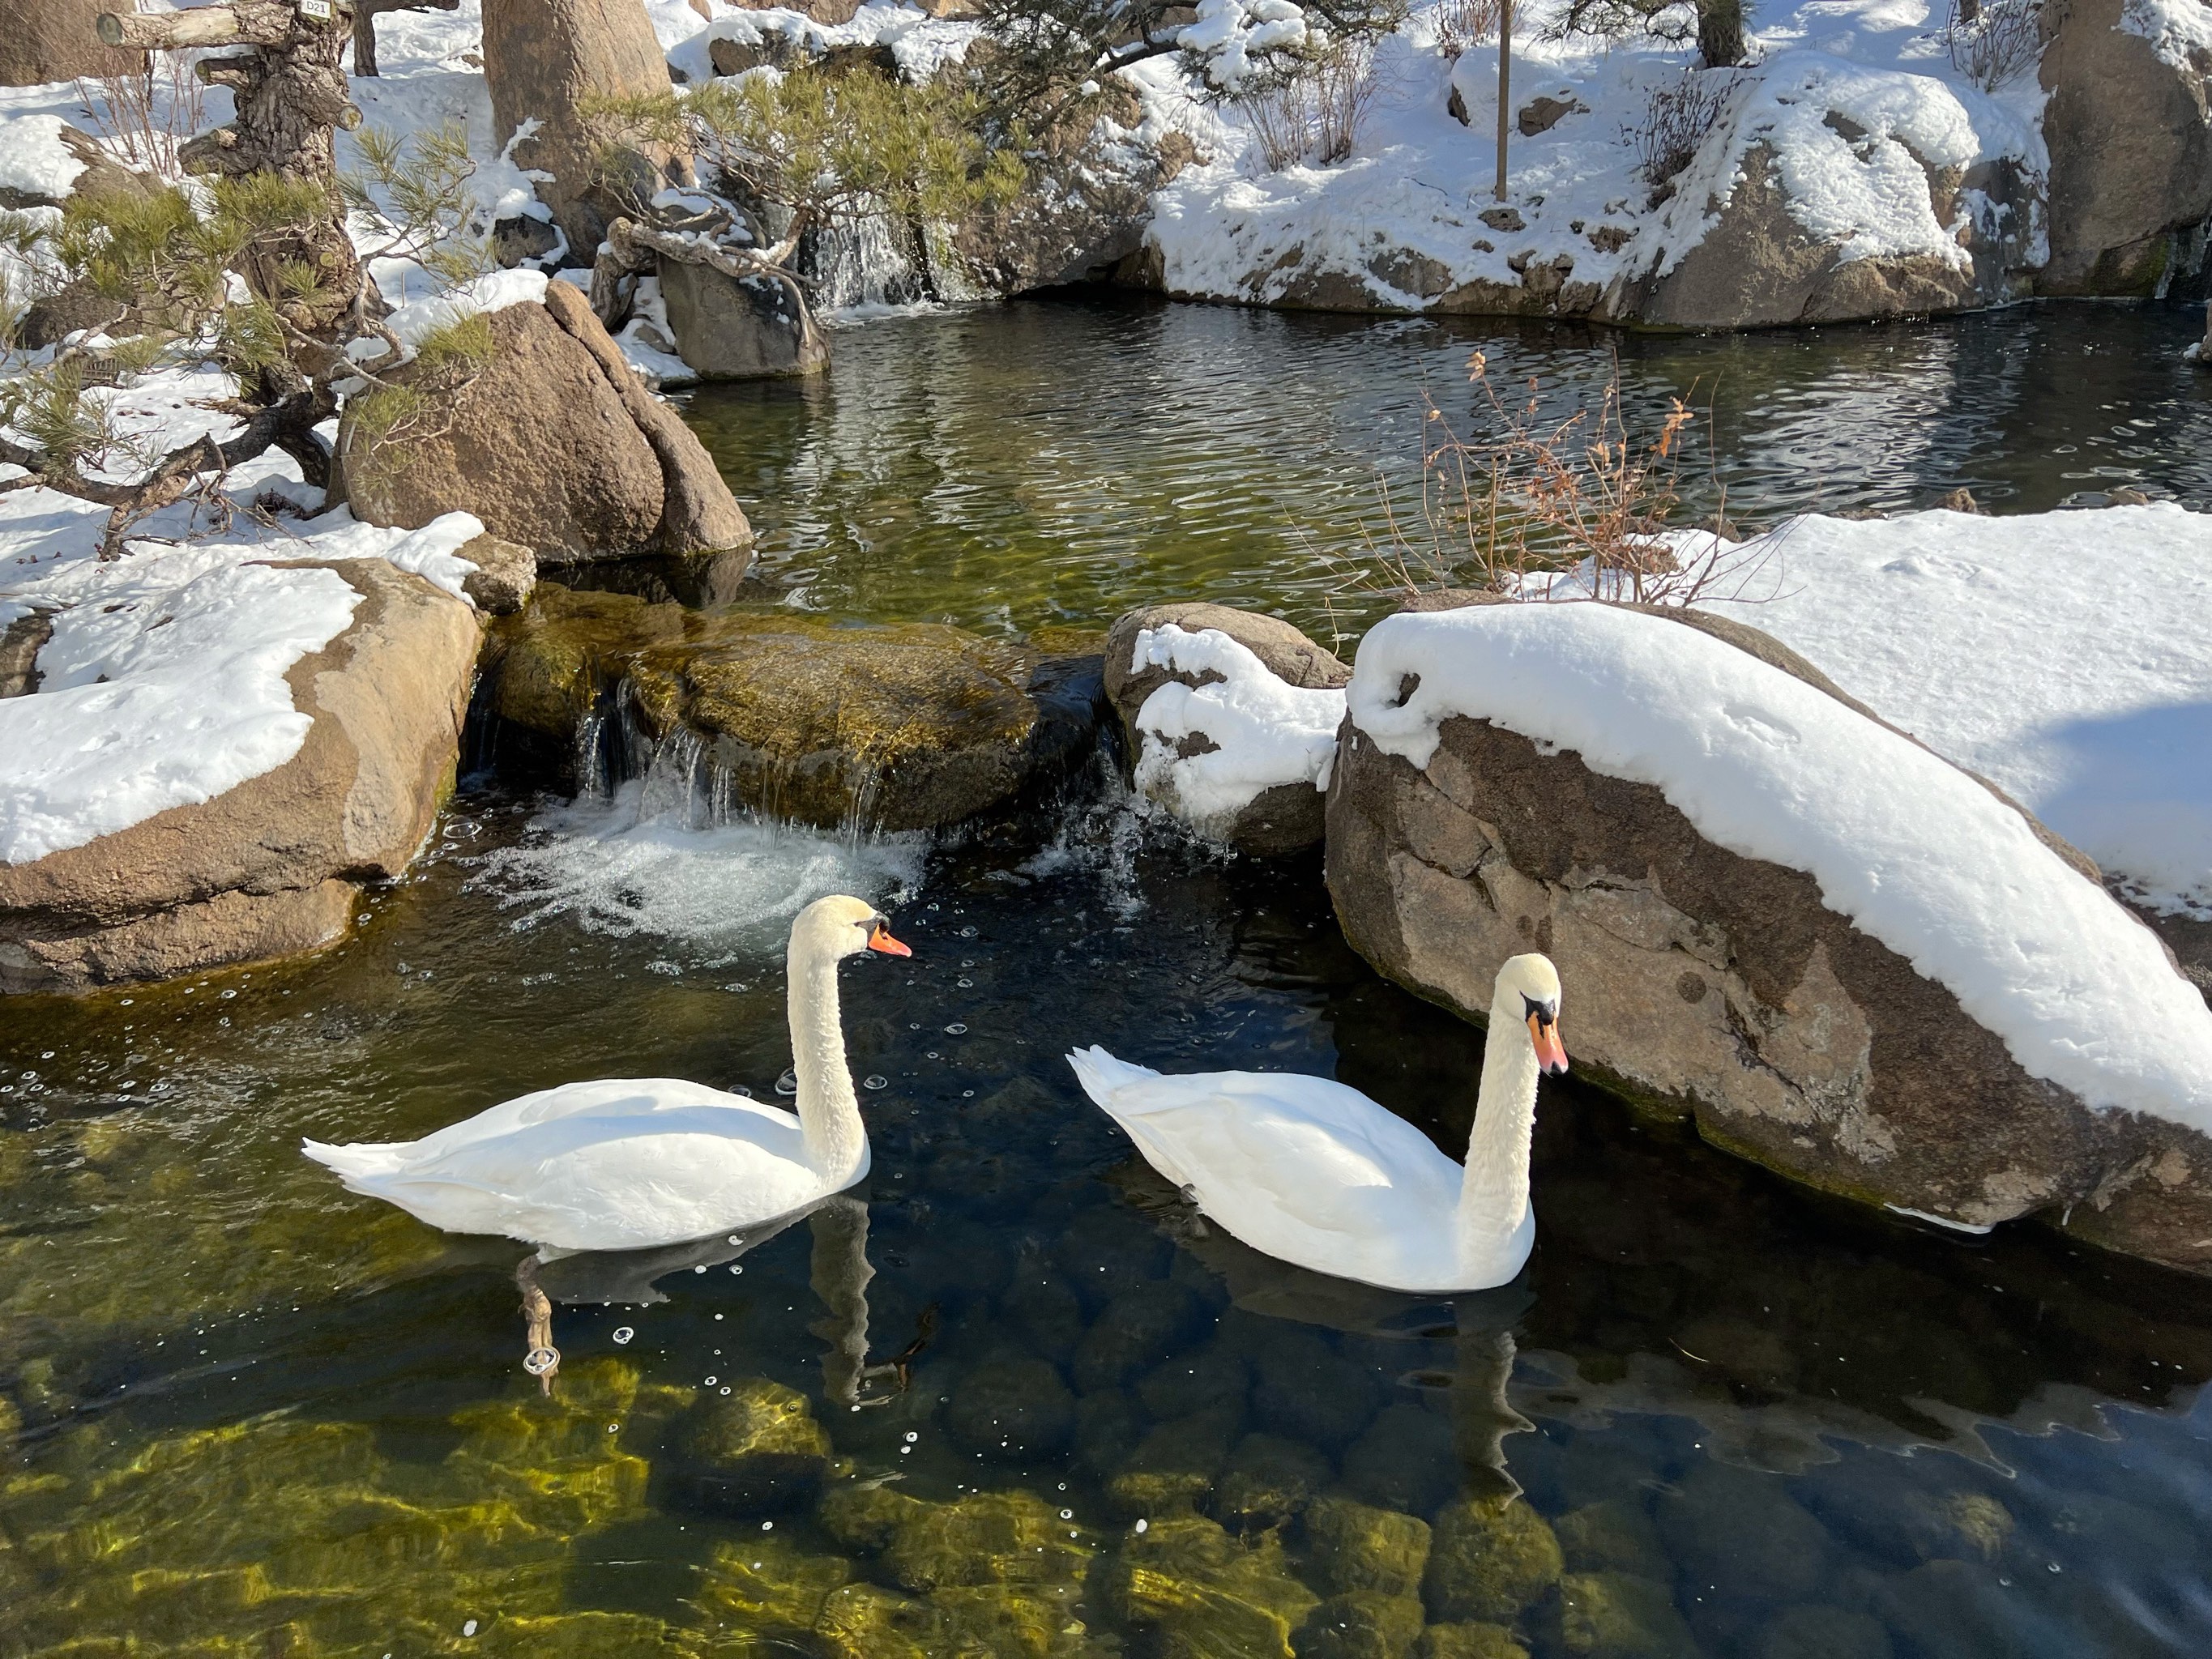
[[273, 866]]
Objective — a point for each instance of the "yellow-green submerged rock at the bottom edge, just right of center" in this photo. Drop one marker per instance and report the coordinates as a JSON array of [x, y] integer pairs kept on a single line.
[[1202, 1594]]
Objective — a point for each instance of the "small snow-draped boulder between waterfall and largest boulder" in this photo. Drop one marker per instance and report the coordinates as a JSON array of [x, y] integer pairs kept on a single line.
[[1231, 720]]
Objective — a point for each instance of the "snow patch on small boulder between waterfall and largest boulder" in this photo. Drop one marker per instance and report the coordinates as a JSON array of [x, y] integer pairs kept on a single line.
[[1264, 729]]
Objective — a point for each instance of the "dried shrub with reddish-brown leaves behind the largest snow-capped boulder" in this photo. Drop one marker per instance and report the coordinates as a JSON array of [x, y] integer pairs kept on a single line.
[[1565, 510]]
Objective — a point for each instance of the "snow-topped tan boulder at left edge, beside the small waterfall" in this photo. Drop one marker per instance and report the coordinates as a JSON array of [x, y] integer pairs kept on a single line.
[[209, 771]]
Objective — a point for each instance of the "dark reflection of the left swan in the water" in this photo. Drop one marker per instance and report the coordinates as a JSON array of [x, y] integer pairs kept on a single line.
[[839, 1271]]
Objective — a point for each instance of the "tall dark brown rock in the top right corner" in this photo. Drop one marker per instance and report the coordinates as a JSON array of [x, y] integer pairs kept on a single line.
[[2131, 152]]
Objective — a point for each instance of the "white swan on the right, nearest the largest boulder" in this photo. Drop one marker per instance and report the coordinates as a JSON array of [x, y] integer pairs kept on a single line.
[[1319, 1176]]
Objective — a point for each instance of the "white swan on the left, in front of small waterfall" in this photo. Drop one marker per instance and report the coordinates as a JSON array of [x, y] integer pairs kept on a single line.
[[645, 1162]]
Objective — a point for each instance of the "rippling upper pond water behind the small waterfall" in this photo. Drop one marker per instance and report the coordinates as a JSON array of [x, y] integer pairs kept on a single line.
[[1032, 466]]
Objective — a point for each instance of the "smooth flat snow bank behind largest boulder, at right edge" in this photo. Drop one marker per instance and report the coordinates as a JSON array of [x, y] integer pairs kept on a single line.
[[2063, 656]]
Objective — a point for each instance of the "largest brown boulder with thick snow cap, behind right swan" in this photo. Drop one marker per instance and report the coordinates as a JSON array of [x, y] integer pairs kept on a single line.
[[1839, 952]]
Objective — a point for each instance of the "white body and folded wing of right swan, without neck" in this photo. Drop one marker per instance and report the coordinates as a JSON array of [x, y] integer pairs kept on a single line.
[[1300, 1167]]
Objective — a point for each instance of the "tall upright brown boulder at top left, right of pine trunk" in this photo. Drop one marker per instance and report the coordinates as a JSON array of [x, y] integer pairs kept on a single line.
[[543, 59]]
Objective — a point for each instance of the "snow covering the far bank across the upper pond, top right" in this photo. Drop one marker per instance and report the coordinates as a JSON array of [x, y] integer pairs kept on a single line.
[[1850, 96]]
